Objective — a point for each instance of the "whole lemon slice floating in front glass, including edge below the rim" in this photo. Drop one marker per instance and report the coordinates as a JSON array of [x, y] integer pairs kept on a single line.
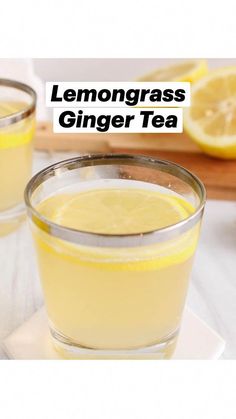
[[118, 211]]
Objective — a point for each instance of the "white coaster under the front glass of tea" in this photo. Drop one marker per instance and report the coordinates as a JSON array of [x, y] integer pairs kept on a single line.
[[32, 340]]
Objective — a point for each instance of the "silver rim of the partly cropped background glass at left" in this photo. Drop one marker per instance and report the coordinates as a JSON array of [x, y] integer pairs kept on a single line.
[[23, 113]]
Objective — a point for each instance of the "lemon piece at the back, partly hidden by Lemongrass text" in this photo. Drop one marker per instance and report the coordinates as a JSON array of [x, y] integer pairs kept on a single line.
[[187, 71]]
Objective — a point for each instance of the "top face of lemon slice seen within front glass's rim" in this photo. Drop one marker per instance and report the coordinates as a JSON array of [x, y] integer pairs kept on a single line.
[[115, 211]]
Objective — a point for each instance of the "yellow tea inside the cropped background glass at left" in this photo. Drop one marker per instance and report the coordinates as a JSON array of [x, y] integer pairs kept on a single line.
[[15, 156]]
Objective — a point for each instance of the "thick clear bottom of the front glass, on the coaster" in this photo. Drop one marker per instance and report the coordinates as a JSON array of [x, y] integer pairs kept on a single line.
[[68, 349]]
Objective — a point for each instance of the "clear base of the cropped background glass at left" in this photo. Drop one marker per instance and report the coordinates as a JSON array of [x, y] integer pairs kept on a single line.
[[11, 219]]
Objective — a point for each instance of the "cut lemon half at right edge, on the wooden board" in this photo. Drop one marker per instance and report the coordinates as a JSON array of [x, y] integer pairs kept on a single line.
[[211, 119]]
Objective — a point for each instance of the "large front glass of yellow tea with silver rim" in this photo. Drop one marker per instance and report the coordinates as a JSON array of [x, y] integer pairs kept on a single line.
[[112, 291]]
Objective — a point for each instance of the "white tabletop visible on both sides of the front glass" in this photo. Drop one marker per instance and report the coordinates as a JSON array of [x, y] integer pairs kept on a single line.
[[212, 293]]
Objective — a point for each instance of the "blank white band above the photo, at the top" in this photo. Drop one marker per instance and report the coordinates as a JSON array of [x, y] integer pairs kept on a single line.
[[134, 28]]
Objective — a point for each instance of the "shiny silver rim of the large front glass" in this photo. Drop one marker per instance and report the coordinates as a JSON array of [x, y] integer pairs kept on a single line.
[[114, 240]]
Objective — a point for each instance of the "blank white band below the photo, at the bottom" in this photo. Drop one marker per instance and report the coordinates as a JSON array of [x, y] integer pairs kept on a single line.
[[117, 390]]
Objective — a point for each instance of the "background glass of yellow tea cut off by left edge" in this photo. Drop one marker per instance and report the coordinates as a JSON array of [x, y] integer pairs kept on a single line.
[[17, 125]]
